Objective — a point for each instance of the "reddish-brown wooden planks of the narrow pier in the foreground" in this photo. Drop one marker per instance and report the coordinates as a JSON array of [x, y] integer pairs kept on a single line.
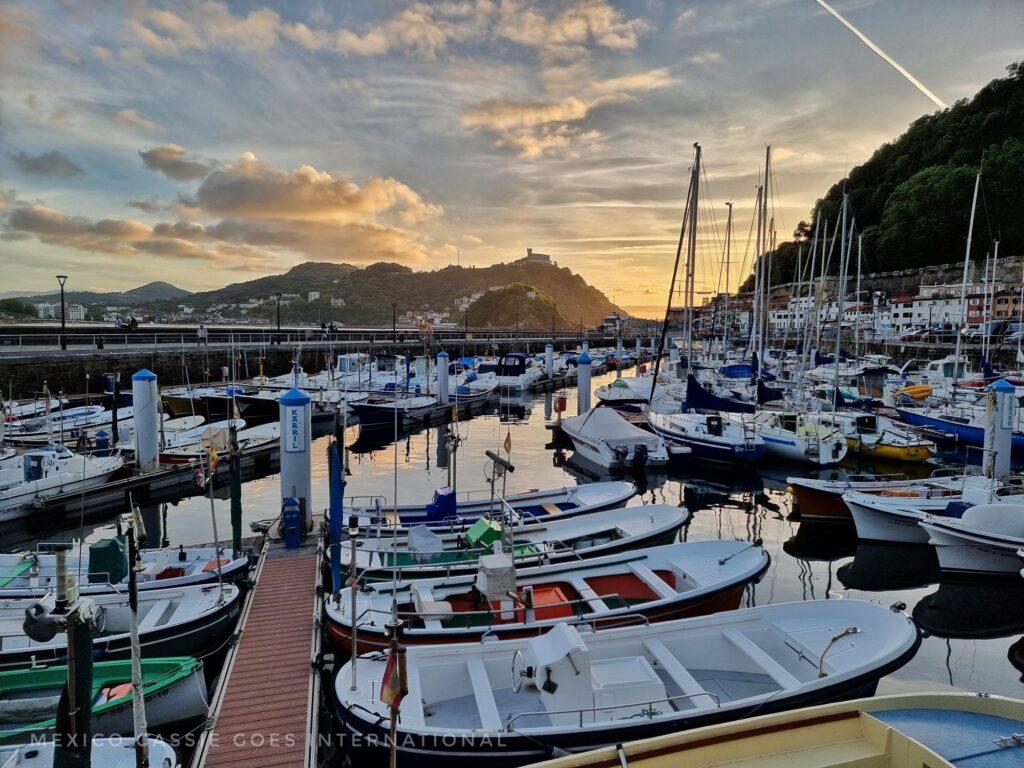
[[270, 698]]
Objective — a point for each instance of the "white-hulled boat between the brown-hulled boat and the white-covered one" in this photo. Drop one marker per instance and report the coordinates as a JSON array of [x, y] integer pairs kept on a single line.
[[892, 515]]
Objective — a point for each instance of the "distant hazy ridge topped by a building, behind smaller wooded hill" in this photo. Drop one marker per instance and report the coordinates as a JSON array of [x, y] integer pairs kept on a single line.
[[366, 295]]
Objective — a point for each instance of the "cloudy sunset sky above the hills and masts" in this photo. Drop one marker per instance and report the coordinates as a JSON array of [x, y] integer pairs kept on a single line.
[[205, 143]]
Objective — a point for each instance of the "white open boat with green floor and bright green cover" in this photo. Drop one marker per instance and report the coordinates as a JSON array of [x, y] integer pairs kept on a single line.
[[422, 553]]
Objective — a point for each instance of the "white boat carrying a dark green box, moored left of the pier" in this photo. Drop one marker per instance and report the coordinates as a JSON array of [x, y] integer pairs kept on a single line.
[[103, 569]]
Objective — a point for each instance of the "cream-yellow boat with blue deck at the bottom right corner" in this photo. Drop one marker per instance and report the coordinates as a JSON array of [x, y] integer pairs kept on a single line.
[[941, 731]]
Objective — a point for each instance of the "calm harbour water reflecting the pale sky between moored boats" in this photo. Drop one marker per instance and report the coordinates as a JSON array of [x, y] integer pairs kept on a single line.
[[973, 632]]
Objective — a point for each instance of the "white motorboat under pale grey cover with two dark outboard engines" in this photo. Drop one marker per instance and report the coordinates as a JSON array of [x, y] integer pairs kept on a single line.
[[604, 437]]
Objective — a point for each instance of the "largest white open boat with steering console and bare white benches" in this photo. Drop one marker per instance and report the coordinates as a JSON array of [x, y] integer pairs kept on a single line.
[[516, 702]]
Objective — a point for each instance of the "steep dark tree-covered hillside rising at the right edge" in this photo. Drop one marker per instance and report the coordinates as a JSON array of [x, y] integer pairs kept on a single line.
[[912, 199]]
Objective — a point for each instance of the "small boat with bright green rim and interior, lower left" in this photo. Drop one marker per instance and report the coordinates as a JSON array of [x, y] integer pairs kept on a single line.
[[174, 690]]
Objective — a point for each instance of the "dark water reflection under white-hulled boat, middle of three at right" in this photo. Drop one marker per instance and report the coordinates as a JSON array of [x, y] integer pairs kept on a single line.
[[878, 568]]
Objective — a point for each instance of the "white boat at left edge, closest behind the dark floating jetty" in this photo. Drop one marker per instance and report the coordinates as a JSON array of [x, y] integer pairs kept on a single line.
[[50, 472]]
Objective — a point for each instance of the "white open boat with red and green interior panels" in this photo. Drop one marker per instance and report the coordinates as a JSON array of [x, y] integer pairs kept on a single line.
[[657, 584]]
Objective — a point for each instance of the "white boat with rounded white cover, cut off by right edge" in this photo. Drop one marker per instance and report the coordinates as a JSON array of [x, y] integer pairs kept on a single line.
[[984, 542]]
